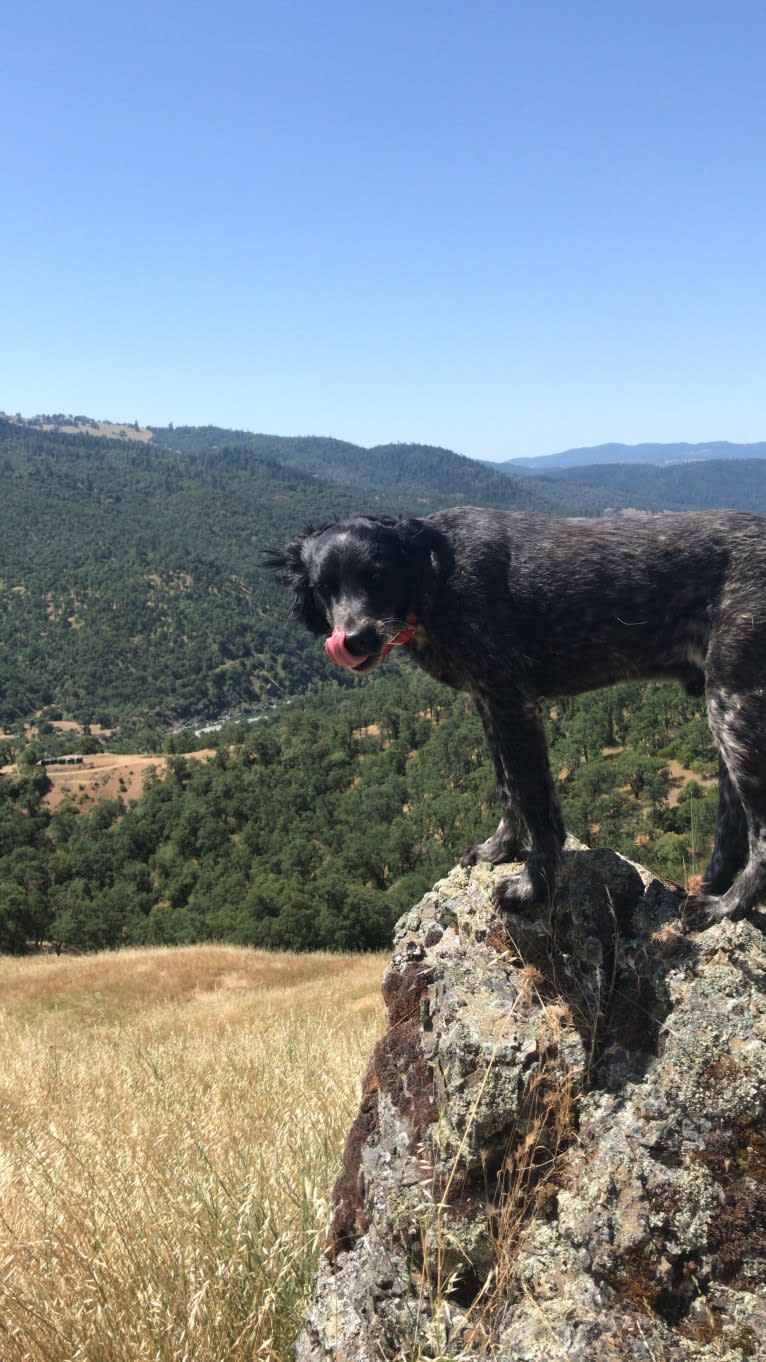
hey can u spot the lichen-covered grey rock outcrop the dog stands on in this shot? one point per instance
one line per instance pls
(561, 1150)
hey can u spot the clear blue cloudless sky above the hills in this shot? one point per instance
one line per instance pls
(506, 228)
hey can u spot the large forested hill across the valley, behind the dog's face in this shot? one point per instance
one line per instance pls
(132, 582)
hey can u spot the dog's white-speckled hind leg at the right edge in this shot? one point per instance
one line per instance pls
(738, 720)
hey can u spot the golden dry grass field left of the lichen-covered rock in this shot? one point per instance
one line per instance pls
(171, 1123)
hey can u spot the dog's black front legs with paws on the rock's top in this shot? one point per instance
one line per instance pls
(528, 796)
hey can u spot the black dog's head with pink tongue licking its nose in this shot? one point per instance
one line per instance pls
(361, 582)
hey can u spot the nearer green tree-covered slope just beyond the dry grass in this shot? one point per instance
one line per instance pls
(321, 825)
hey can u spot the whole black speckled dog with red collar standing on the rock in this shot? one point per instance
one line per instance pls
(516, 608)
